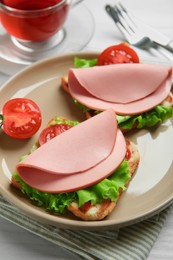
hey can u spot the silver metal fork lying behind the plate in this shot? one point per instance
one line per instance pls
(130, 27)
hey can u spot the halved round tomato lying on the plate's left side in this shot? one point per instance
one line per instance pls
(21, 118)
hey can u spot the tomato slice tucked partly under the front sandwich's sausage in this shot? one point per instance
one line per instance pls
(51, 131)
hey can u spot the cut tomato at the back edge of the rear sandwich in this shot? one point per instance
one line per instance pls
(121, 53)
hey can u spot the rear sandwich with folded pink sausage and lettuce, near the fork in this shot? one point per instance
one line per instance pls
(140, 94)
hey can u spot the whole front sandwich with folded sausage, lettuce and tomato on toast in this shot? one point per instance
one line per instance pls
(83, 170)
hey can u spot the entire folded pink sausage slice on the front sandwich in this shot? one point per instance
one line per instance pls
(70, 160)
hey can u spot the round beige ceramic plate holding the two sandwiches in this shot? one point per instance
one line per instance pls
(150, 190)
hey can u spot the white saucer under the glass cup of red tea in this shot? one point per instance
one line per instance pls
(77, 32)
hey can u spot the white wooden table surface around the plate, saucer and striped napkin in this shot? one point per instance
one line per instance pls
(16, 243)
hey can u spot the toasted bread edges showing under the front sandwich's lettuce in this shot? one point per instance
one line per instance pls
(101, 210)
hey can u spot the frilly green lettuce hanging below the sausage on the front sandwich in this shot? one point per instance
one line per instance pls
(108, 188)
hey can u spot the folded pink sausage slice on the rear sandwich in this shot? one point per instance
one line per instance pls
(126, 88)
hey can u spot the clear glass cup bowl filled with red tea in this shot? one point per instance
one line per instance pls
(33, 20)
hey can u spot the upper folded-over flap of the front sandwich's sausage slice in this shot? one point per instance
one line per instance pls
(76, 150)
